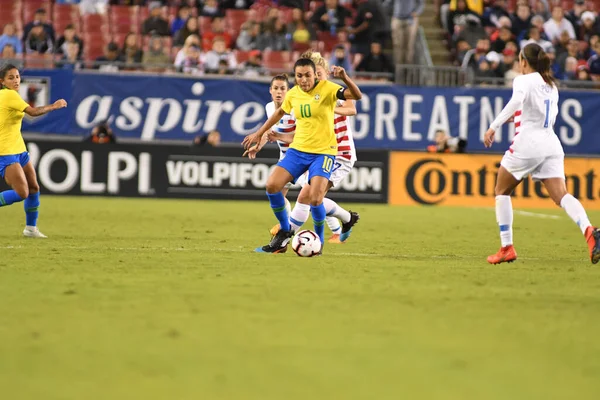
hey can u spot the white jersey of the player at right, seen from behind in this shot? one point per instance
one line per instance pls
(534, 105)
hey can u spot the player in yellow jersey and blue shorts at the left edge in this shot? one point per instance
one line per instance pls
(15, 166)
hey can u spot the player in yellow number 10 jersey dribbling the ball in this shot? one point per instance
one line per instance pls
(314, 147)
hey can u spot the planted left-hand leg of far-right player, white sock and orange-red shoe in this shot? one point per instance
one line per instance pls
(505, 185)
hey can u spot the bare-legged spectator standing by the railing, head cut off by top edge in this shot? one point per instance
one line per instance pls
(405, 25)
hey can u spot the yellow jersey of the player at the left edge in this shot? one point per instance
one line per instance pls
(12, 108)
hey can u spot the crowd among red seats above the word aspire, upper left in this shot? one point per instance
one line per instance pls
(248, 37)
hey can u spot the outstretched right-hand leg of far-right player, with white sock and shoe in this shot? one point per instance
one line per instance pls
(558, 193)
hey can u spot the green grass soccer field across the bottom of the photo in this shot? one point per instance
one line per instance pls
(164, 299)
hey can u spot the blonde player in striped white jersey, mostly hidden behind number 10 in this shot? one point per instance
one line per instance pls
(344, 161)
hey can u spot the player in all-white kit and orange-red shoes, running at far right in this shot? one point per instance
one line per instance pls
(536, 150)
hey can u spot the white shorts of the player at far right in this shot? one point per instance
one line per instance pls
(540, 168)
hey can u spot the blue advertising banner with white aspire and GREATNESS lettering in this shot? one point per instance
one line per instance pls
(389, 116)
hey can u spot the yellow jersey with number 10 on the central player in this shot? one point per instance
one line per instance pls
(314, 117)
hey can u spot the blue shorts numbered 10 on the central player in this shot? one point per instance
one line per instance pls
(297, 163)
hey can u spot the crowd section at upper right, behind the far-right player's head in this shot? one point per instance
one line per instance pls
(487, 35)
